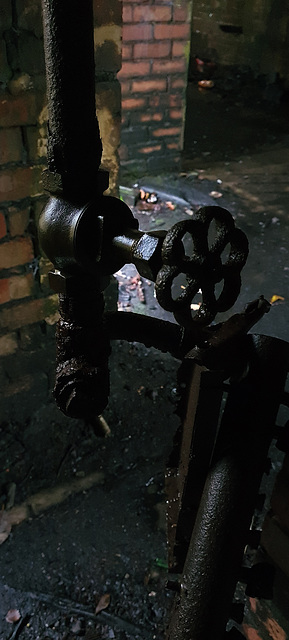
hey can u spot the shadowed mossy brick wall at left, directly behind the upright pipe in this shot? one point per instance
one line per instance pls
(28, 308)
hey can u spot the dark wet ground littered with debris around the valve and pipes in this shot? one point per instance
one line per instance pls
(102, 544)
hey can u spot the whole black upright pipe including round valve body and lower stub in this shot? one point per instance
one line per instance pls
(74, 155)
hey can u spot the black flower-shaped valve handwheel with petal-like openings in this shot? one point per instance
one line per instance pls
(205, 268)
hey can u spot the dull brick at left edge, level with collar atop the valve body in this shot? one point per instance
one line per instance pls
(20, 182)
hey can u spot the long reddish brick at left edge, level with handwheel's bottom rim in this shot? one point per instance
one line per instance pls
(30, 312)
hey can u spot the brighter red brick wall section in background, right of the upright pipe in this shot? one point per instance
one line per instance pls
(155, 49)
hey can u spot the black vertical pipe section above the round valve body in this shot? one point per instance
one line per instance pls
(74, 145)
